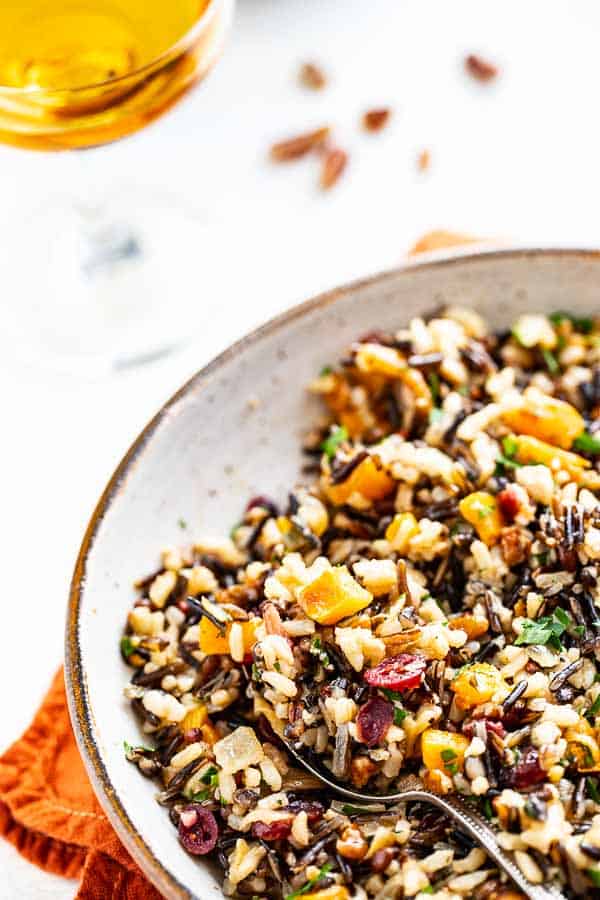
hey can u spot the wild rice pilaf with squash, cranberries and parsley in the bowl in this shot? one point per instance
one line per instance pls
(430, 604)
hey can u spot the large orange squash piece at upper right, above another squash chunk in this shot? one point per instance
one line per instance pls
(545, 418)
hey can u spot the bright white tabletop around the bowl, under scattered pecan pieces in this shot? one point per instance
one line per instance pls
(518, 159)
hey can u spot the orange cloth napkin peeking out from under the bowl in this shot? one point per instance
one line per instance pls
(48, 809)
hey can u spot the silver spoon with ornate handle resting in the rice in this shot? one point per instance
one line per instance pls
(411, 788)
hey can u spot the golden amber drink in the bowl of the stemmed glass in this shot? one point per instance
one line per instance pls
(76, 73)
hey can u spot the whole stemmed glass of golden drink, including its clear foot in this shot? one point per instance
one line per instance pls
(107, 283)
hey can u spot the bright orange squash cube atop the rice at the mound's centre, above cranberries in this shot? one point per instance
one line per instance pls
(332, 596)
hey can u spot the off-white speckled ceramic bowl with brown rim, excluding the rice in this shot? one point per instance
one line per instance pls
(233, 431)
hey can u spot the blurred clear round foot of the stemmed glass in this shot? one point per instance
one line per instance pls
(100, 288)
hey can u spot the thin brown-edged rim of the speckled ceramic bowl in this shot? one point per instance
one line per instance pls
(77, 691)
